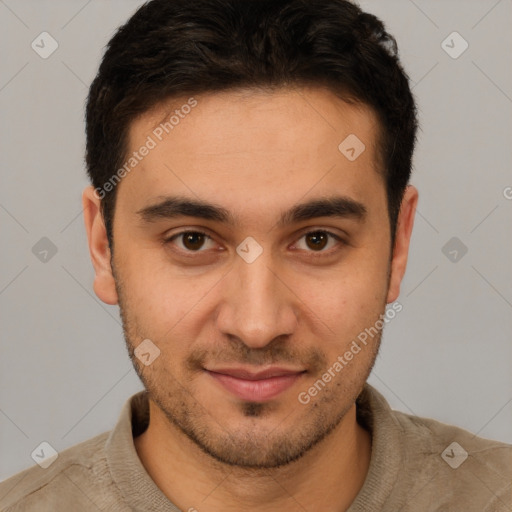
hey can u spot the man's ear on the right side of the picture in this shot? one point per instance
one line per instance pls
(405, 223)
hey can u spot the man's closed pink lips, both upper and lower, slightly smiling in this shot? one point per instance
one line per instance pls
(255, 386)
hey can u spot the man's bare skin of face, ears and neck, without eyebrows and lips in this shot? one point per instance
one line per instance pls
(255, 154)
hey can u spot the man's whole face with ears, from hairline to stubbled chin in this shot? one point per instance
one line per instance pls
(252, 253)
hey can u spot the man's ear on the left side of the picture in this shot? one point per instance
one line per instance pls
(99, 249)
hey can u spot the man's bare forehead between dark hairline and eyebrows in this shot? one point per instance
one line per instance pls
(255, 144)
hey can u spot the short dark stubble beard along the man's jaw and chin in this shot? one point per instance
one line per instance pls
(253, 445)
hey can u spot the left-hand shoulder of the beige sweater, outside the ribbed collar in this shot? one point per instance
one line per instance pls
(74, 481)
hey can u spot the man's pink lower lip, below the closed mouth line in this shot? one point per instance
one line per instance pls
(256, 390)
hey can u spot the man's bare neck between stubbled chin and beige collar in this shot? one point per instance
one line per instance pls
(331, 473)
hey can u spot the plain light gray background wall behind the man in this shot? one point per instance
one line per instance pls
(64, 371)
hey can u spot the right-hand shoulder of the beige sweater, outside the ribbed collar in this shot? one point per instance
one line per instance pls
(454, 462)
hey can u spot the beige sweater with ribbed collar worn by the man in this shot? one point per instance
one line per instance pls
(414, 467)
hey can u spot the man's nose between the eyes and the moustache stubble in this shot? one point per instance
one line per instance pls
(257, 306)
